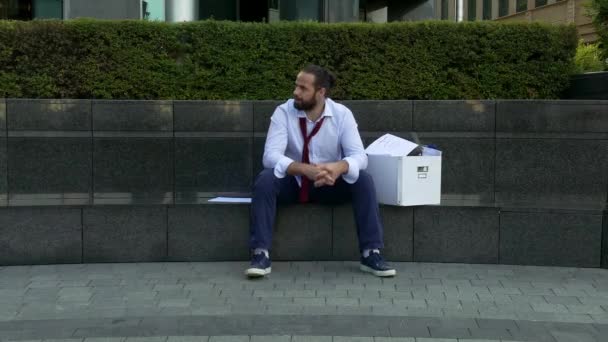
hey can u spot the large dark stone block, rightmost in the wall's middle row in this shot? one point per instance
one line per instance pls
(552, 172)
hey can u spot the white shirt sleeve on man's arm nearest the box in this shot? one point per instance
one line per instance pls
(352, 147)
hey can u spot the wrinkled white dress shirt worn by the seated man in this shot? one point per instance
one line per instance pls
(338, 139)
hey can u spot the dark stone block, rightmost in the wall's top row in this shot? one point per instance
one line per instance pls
(552, 116)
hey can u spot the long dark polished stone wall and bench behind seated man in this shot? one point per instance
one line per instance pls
(524, 182)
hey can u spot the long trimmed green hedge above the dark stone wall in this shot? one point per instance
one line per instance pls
(231, 60)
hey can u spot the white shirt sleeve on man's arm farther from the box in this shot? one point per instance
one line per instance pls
(276, 143)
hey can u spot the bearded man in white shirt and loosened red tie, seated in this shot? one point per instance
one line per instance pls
(314, 153)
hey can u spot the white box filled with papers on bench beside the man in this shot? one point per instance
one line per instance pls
(402, 180)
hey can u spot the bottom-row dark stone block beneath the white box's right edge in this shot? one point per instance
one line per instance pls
(456, 234)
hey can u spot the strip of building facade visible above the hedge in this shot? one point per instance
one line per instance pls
(553, 11)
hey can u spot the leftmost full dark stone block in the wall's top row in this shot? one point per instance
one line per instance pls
(63, 115)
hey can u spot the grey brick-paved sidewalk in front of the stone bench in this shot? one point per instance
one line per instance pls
(302, 301)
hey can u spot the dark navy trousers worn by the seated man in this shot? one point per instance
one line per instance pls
(269, 190)
